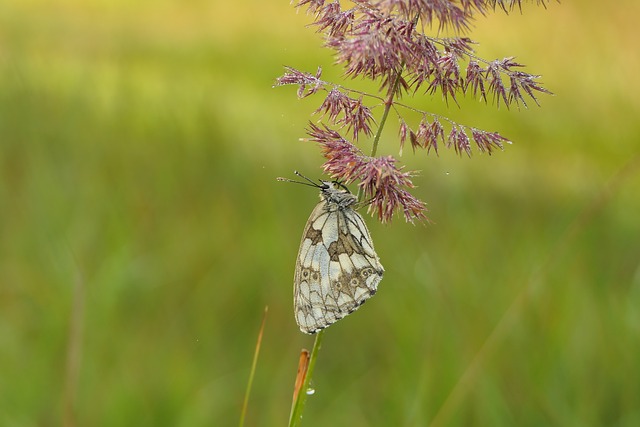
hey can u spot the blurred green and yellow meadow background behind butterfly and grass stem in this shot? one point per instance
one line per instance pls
(142, 231)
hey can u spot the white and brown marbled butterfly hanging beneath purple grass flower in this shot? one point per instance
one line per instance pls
(337, 268)
